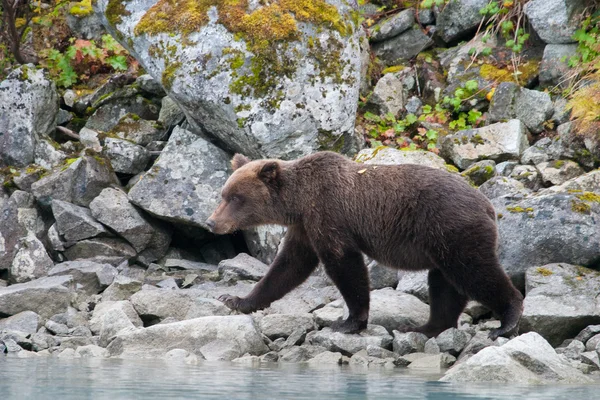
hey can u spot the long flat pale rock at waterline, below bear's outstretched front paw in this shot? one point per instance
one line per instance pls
(205, 336)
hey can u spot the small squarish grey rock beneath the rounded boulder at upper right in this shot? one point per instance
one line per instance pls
(554, 69)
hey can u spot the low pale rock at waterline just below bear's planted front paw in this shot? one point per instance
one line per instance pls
(349, 344)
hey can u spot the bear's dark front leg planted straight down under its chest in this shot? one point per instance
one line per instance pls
(350, 275)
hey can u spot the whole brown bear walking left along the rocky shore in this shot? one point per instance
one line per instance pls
(408, 217)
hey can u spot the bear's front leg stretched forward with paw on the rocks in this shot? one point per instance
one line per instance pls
(294, 263)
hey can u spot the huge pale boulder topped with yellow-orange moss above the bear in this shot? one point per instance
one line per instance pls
(284, 90)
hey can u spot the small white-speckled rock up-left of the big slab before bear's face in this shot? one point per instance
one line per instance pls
(126, 157)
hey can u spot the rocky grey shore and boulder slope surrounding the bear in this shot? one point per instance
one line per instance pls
(103, 247)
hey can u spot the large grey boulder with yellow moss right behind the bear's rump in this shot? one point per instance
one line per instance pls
(548, 228)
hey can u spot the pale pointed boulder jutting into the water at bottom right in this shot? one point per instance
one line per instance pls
(527, 359)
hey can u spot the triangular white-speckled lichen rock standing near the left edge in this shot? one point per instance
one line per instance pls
(31, 260)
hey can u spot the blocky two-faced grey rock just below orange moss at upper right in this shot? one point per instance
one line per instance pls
(531, 107)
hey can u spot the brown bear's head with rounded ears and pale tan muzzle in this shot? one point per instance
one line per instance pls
(247, 199)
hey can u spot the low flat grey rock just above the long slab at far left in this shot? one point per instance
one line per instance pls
(89, 276)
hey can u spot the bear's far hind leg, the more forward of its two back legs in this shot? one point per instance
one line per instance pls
(446, 304)
